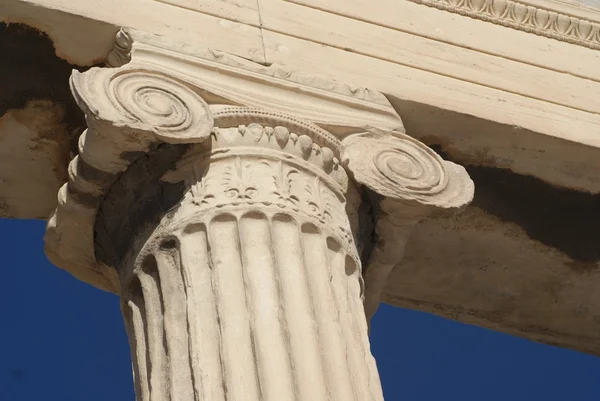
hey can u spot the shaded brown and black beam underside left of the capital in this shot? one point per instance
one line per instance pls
(38, 121)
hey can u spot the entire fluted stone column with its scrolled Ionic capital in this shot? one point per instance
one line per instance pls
(232, 207)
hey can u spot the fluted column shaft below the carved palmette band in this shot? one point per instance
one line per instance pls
(255, 307)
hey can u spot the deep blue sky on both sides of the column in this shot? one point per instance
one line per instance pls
(62, 340)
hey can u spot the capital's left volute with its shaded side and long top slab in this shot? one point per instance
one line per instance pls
(160, 97)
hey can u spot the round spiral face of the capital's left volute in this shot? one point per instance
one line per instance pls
(144, 100)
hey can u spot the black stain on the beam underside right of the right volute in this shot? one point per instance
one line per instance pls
(561, 218)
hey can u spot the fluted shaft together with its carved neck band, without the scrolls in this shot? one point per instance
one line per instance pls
(251, 289)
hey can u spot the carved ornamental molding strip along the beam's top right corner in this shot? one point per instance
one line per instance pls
(525, 17)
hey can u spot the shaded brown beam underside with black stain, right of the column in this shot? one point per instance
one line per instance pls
(527, 264)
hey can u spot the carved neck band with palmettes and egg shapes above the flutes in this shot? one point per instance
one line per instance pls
(252, 166)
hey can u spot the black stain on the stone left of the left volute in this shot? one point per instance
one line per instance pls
(30, 70)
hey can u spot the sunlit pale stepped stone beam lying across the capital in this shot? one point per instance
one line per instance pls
(430, 56)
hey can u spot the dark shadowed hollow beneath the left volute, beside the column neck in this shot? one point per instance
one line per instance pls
(135, 204)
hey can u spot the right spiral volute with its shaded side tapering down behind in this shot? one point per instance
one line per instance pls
(408, 181)
